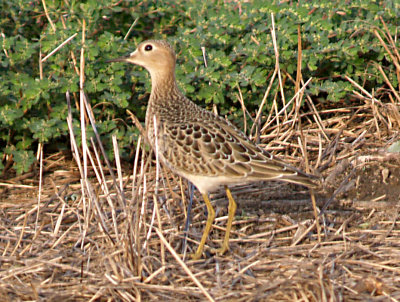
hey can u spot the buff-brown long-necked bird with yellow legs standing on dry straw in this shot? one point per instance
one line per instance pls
(199, 145)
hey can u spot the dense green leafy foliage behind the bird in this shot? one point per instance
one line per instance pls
(337, 40)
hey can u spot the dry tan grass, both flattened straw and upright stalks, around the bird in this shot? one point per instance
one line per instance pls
(76, 232)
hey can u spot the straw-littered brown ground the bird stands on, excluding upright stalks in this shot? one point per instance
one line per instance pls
(274, 252)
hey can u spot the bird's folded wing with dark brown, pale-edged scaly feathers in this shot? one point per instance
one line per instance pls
(217, 148)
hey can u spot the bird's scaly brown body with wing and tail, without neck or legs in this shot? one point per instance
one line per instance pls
(210, 151)
